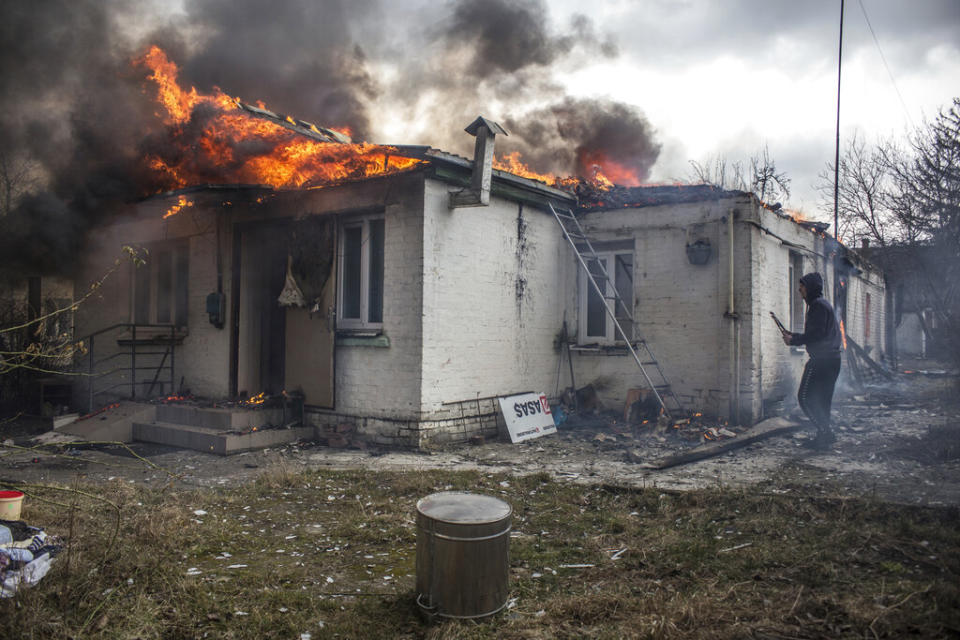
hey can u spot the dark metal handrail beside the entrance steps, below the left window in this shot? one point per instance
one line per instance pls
(132, 353)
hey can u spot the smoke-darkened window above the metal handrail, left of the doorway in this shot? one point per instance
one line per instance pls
(161, 286)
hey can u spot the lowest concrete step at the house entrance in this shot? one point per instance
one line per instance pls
(212, 440)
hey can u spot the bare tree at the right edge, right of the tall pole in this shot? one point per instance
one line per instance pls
(907, 199)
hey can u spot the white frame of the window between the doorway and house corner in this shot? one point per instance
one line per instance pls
(363, 322)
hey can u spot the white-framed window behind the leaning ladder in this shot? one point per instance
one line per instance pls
(595, 323)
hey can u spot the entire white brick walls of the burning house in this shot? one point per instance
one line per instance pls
(475, 299)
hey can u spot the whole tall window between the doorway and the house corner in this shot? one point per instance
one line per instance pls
(361, 274)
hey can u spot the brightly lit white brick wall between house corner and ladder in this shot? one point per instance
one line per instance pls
(493, 303)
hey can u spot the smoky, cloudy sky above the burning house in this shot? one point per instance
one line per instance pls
(656, 83)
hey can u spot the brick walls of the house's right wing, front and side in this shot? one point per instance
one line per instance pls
(680, 308)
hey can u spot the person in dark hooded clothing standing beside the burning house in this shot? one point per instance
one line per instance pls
(821, 335)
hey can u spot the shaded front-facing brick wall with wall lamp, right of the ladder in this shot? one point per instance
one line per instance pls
(679, 307)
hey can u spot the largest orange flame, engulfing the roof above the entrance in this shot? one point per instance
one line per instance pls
(236, 146)
